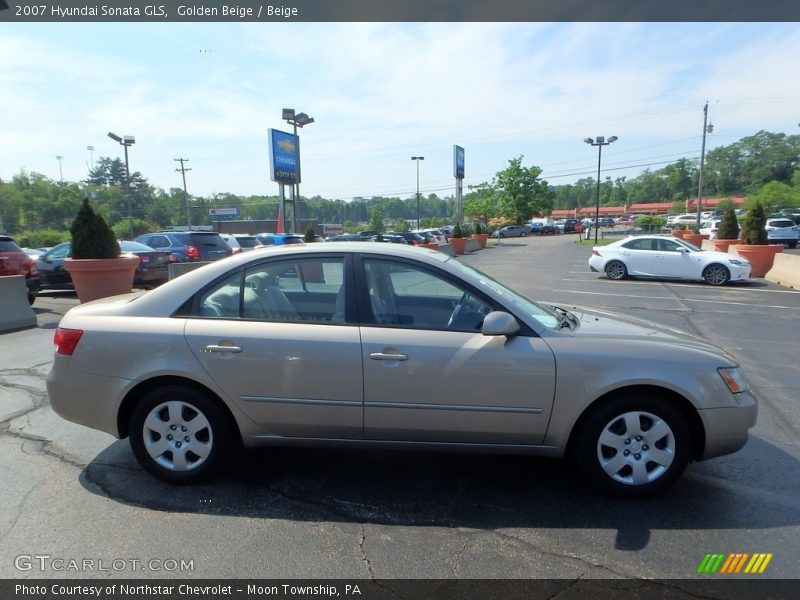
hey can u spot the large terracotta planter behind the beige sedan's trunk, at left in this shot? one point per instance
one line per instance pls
(98, 278)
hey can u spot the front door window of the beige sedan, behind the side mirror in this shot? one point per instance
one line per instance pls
(403, 295)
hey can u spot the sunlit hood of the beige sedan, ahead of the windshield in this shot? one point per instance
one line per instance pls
(599, 325)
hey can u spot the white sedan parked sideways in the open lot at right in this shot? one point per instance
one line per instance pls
(666, 257)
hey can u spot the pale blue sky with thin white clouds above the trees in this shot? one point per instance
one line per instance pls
(383, 92)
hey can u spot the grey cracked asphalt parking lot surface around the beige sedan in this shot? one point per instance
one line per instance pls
(74, 493)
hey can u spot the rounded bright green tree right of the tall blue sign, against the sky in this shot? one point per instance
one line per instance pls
(521, 191)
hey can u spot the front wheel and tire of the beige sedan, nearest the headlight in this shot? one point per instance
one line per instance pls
(634, 445)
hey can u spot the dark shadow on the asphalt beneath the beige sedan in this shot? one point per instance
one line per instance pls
(461, 490)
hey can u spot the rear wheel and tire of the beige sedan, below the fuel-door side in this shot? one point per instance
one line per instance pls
(206, 430)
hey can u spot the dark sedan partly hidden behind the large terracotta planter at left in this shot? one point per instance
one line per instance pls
(151, 271)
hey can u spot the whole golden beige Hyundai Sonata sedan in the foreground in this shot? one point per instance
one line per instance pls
(341, 344)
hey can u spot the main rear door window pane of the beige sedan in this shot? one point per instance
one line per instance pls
(308, 290)
